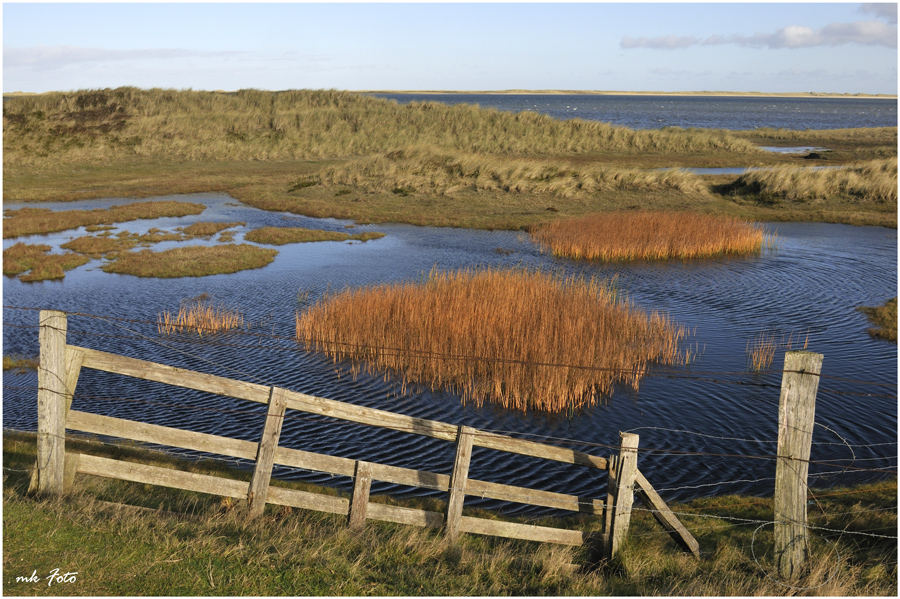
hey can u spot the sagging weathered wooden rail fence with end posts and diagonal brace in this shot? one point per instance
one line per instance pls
(61, 364)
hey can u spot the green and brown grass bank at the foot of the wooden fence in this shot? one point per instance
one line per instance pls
(193, 544)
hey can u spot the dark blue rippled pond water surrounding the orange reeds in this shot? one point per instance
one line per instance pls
(812, 283)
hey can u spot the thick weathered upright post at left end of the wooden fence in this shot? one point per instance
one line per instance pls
(51, 441)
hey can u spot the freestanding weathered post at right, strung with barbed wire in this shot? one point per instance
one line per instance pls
(796, 415)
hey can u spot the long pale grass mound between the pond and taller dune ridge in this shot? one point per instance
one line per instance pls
(434, 170)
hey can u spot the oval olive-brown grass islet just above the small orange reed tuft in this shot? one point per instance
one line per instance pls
(191, 261)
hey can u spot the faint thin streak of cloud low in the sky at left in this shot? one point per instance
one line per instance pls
(55, 57)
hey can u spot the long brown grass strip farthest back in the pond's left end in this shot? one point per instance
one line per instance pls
(37, 221)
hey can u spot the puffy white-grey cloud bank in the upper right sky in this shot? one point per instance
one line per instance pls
(865, 33)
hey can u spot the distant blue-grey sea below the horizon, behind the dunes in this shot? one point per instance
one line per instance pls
(654, 112)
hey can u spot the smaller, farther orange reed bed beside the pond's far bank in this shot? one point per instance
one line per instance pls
(649, 236)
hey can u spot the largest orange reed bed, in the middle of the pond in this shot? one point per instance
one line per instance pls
(524, 340)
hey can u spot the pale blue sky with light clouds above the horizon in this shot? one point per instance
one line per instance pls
(768, 47)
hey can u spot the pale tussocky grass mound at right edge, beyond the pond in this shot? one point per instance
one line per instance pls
(872, 182)
